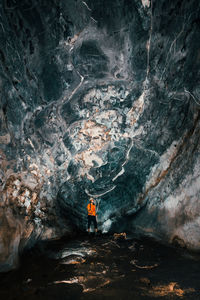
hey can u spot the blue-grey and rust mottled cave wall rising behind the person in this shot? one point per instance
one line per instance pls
(99, 98)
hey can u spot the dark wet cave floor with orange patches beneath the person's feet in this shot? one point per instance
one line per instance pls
(103, 267)
